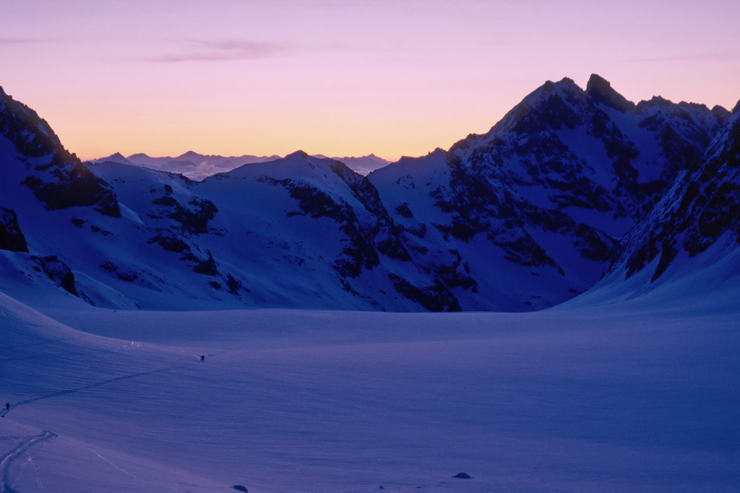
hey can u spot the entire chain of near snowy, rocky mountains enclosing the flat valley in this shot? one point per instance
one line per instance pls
(568, 184)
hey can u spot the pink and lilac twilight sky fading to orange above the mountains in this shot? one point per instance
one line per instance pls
(352, 77)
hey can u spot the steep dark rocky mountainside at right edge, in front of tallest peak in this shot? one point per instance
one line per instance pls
(689, 241)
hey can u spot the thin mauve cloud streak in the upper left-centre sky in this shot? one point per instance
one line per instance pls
(221, 51)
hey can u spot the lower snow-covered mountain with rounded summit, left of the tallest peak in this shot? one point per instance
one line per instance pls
(297, 231)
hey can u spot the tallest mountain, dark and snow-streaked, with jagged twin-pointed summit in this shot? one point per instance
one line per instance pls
(532, 211)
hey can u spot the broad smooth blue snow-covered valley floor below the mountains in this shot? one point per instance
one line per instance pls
(612, 398)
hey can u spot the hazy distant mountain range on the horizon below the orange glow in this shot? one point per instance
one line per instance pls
(199, 166)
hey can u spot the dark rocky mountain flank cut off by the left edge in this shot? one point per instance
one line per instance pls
(41, 181)
